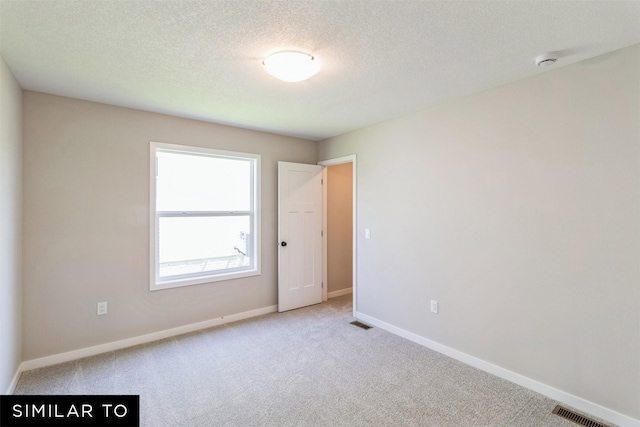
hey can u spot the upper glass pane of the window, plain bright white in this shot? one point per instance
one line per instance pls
(188, 182)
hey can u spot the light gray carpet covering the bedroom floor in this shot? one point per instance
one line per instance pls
(307, 367)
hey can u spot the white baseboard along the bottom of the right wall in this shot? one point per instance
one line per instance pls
(544, 389)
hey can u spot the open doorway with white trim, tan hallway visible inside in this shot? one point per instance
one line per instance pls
(339, 273)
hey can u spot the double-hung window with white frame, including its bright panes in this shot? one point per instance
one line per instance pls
(204, 215)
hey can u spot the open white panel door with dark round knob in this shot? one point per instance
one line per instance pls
(299, 235)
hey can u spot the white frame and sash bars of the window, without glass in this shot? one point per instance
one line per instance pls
(155, 283)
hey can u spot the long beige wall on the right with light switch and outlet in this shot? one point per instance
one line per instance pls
(518, 209)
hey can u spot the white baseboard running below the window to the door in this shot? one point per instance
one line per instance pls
(129, 342)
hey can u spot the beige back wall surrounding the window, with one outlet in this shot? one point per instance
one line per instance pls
(86, 223)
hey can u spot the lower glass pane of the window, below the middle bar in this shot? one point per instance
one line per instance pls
(192, 245)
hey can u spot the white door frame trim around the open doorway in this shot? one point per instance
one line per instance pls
(332, 162)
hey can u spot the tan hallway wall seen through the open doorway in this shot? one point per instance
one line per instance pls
(340, 227)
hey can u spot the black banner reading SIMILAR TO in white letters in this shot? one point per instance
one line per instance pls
(70, 411)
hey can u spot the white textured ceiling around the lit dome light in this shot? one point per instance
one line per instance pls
(380, 59)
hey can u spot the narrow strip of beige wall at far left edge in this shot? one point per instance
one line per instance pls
(10, 227)
